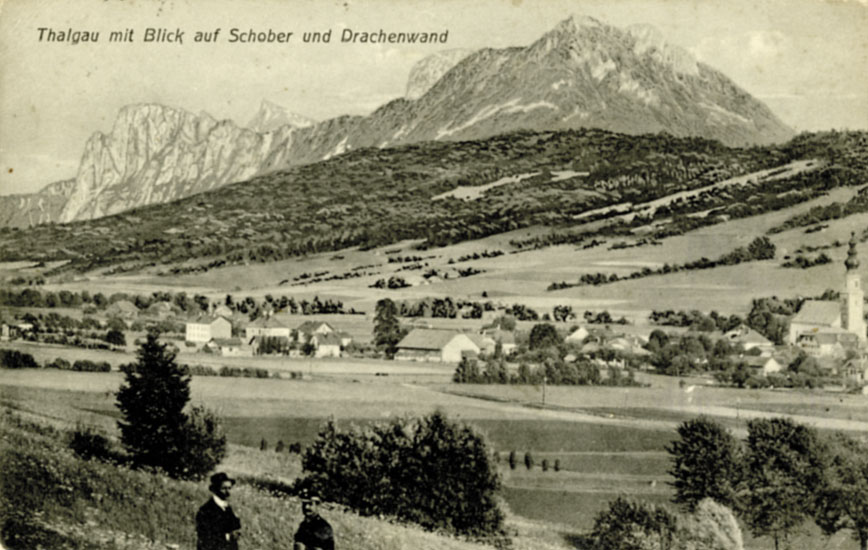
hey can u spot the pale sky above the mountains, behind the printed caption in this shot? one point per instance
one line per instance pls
(806, 59)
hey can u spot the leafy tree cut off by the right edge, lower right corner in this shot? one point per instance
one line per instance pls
(843, 499)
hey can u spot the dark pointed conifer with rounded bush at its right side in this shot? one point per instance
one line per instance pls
(155, 430)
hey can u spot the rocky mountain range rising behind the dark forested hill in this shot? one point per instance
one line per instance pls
(583, 73)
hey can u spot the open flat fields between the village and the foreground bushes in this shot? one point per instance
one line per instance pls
(607, 444)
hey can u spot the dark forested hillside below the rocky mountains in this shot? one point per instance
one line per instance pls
(374, 197)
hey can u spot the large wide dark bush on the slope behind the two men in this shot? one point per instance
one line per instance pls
(428, 471)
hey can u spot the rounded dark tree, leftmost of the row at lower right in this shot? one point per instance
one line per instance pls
(706, 463)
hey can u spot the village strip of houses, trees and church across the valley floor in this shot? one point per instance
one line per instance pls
(824, 344)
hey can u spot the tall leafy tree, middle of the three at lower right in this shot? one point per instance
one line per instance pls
(785, 464)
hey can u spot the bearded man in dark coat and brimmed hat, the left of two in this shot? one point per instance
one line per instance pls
(217, 526)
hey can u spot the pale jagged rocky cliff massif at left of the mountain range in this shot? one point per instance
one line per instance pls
(158, 154)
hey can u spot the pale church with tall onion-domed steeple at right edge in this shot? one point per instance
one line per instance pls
(827, 325)
